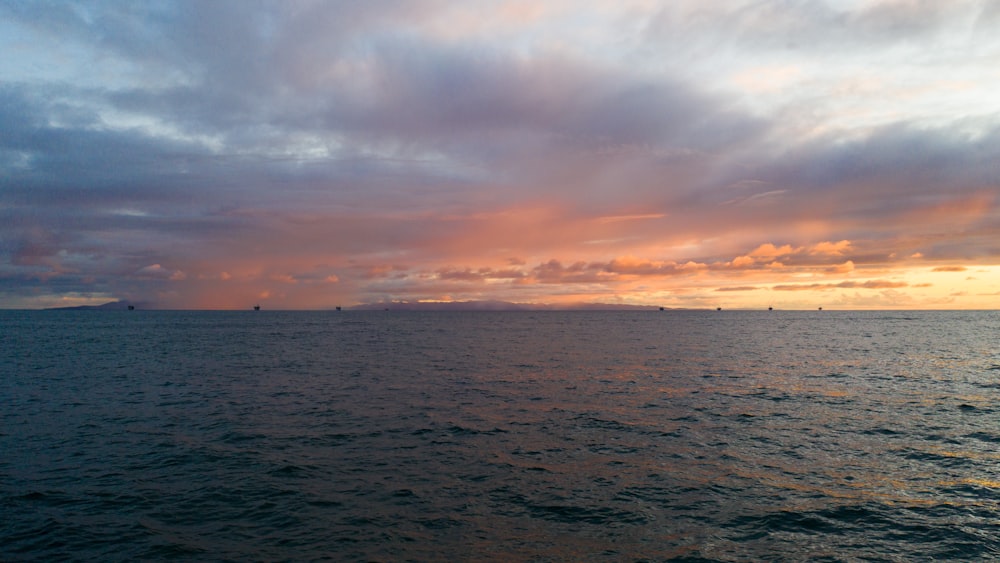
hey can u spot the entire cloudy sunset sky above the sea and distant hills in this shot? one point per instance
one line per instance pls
(686, 153)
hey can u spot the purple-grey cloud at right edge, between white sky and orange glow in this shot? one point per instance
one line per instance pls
(876, 182)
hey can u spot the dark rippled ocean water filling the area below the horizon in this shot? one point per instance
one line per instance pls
(499, 436)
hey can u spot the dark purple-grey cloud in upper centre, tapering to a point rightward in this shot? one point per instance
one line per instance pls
(451, 97)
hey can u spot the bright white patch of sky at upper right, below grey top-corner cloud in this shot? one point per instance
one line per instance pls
(844, 85)
